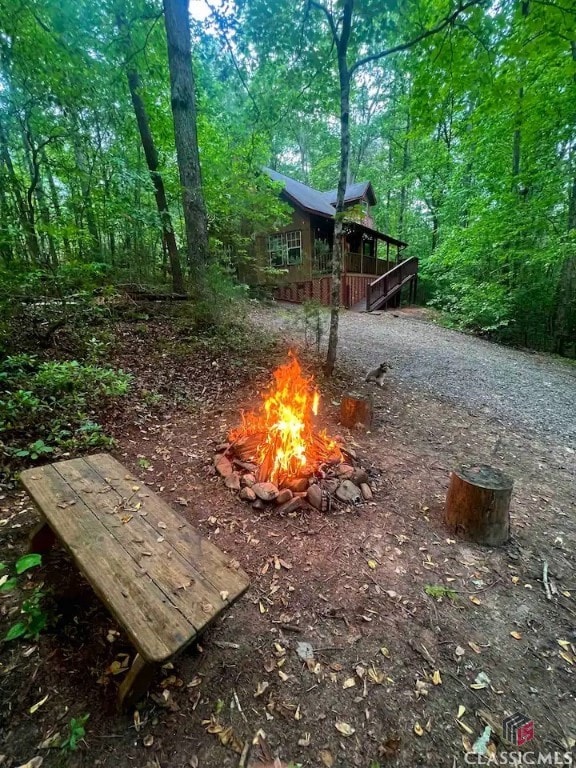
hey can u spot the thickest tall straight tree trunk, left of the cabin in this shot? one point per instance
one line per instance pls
(183, 100)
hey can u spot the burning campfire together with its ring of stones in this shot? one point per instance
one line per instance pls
(279, 455)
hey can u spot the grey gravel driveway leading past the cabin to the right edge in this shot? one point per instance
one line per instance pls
(520, 389)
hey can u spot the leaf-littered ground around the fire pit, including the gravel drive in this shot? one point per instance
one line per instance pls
(397, 669)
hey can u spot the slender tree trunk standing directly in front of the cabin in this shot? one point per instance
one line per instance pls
(338, 247)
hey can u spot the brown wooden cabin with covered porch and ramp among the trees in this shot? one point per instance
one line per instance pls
(374, 269)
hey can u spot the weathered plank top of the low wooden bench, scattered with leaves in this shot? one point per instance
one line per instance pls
(159, 578)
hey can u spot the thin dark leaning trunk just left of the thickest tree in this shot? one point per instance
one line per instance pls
(159, 192)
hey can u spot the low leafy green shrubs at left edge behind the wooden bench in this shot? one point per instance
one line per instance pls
(45, 407)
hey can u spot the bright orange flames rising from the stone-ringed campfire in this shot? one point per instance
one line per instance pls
(285, 443)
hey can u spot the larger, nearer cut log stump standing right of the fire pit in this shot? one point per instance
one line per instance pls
(478, 504)
